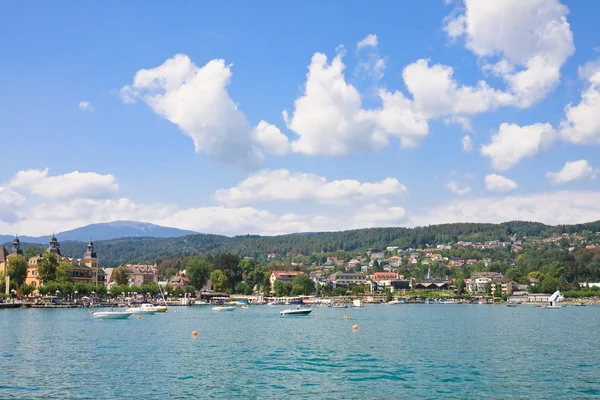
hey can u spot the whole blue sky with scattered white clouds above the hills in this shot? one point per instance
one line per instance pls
(272, 117)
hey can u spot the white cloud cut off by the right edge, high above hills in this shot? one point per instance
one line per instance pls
(582, 125)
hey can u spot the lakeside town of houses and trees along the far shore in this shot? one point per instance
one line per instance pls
(510, 271)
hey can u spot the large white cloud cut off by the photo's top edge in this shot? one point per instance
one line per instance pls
(524, 42)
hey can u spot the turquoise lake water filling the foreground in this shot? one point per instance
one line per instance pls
(402, 351)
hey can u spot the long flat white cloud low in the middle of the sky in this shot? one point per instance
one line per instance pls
(284, 185)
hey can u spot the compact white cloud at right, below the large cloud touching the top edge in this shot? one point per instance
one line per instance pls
(513, 142)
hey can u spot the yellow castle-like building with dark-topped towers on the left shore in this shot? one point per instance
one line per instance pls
(84, 269)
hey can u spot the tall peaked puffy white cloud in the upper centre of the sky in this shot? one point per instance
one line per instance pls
(329, 119)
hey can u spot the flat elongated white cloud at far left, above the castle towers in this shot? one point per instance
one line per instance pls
(73, 184)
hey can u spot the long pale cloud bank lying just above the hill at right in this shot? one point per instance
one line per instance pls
(568, 207)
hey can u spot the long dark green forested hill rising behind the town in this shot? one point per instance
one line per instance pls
(145, 249)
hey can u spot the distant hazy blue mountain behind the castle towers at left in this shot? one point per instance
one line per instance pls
(106, 231)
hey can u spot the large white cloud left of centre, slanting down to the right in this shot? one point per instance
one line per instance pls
(196, 100)
